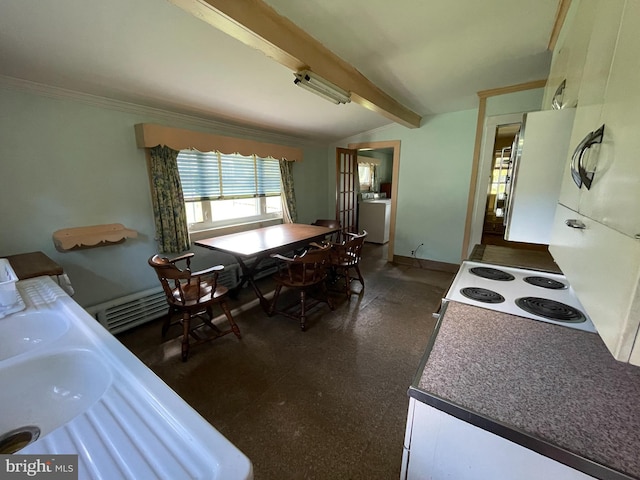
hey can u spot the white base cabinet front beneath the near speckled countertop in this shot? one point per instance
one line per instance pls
(444, 447)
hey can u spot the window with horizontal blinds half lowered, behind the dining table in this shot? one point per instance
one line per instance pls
(222, 190)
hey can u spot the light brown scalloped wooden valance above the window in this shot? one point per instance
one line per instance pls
(150, 135)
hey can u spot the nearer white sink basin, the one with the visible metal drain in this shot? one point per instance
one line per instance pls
(48, 391)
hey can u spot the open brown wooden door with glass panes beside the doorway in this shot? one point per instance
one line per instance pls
(347, 188)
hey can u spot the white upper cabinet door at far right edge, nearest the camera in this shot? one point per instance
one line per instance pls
(614, 198)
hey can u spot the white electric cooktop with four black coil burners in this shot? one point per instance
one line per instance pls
(506, 295)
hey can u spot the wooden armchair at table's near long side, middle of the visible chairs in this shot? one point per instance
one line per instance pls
(305, 273)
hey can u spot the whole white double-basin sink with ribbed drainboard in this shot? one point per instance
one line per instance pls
(68, 385)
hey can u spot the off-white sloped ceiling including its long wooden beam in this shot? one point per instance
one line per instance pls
(233, 60)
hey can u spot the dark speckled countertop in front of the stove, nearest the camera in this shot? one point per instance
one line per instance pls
(550, 388)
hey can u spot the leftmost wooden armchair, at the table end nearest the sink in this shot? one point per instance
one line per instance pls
(192, 295)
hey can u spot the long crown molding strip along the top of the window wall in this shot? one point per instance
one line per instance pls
(221, 126)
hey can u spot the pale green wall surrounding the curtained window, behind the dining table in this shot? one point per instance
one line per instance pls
(68, 163)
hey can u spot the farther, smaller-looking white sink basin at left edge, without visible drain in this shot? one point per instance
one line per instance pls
(22, 332)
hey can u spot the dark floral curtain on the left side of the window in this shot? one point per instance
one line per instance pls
(172, 232)
